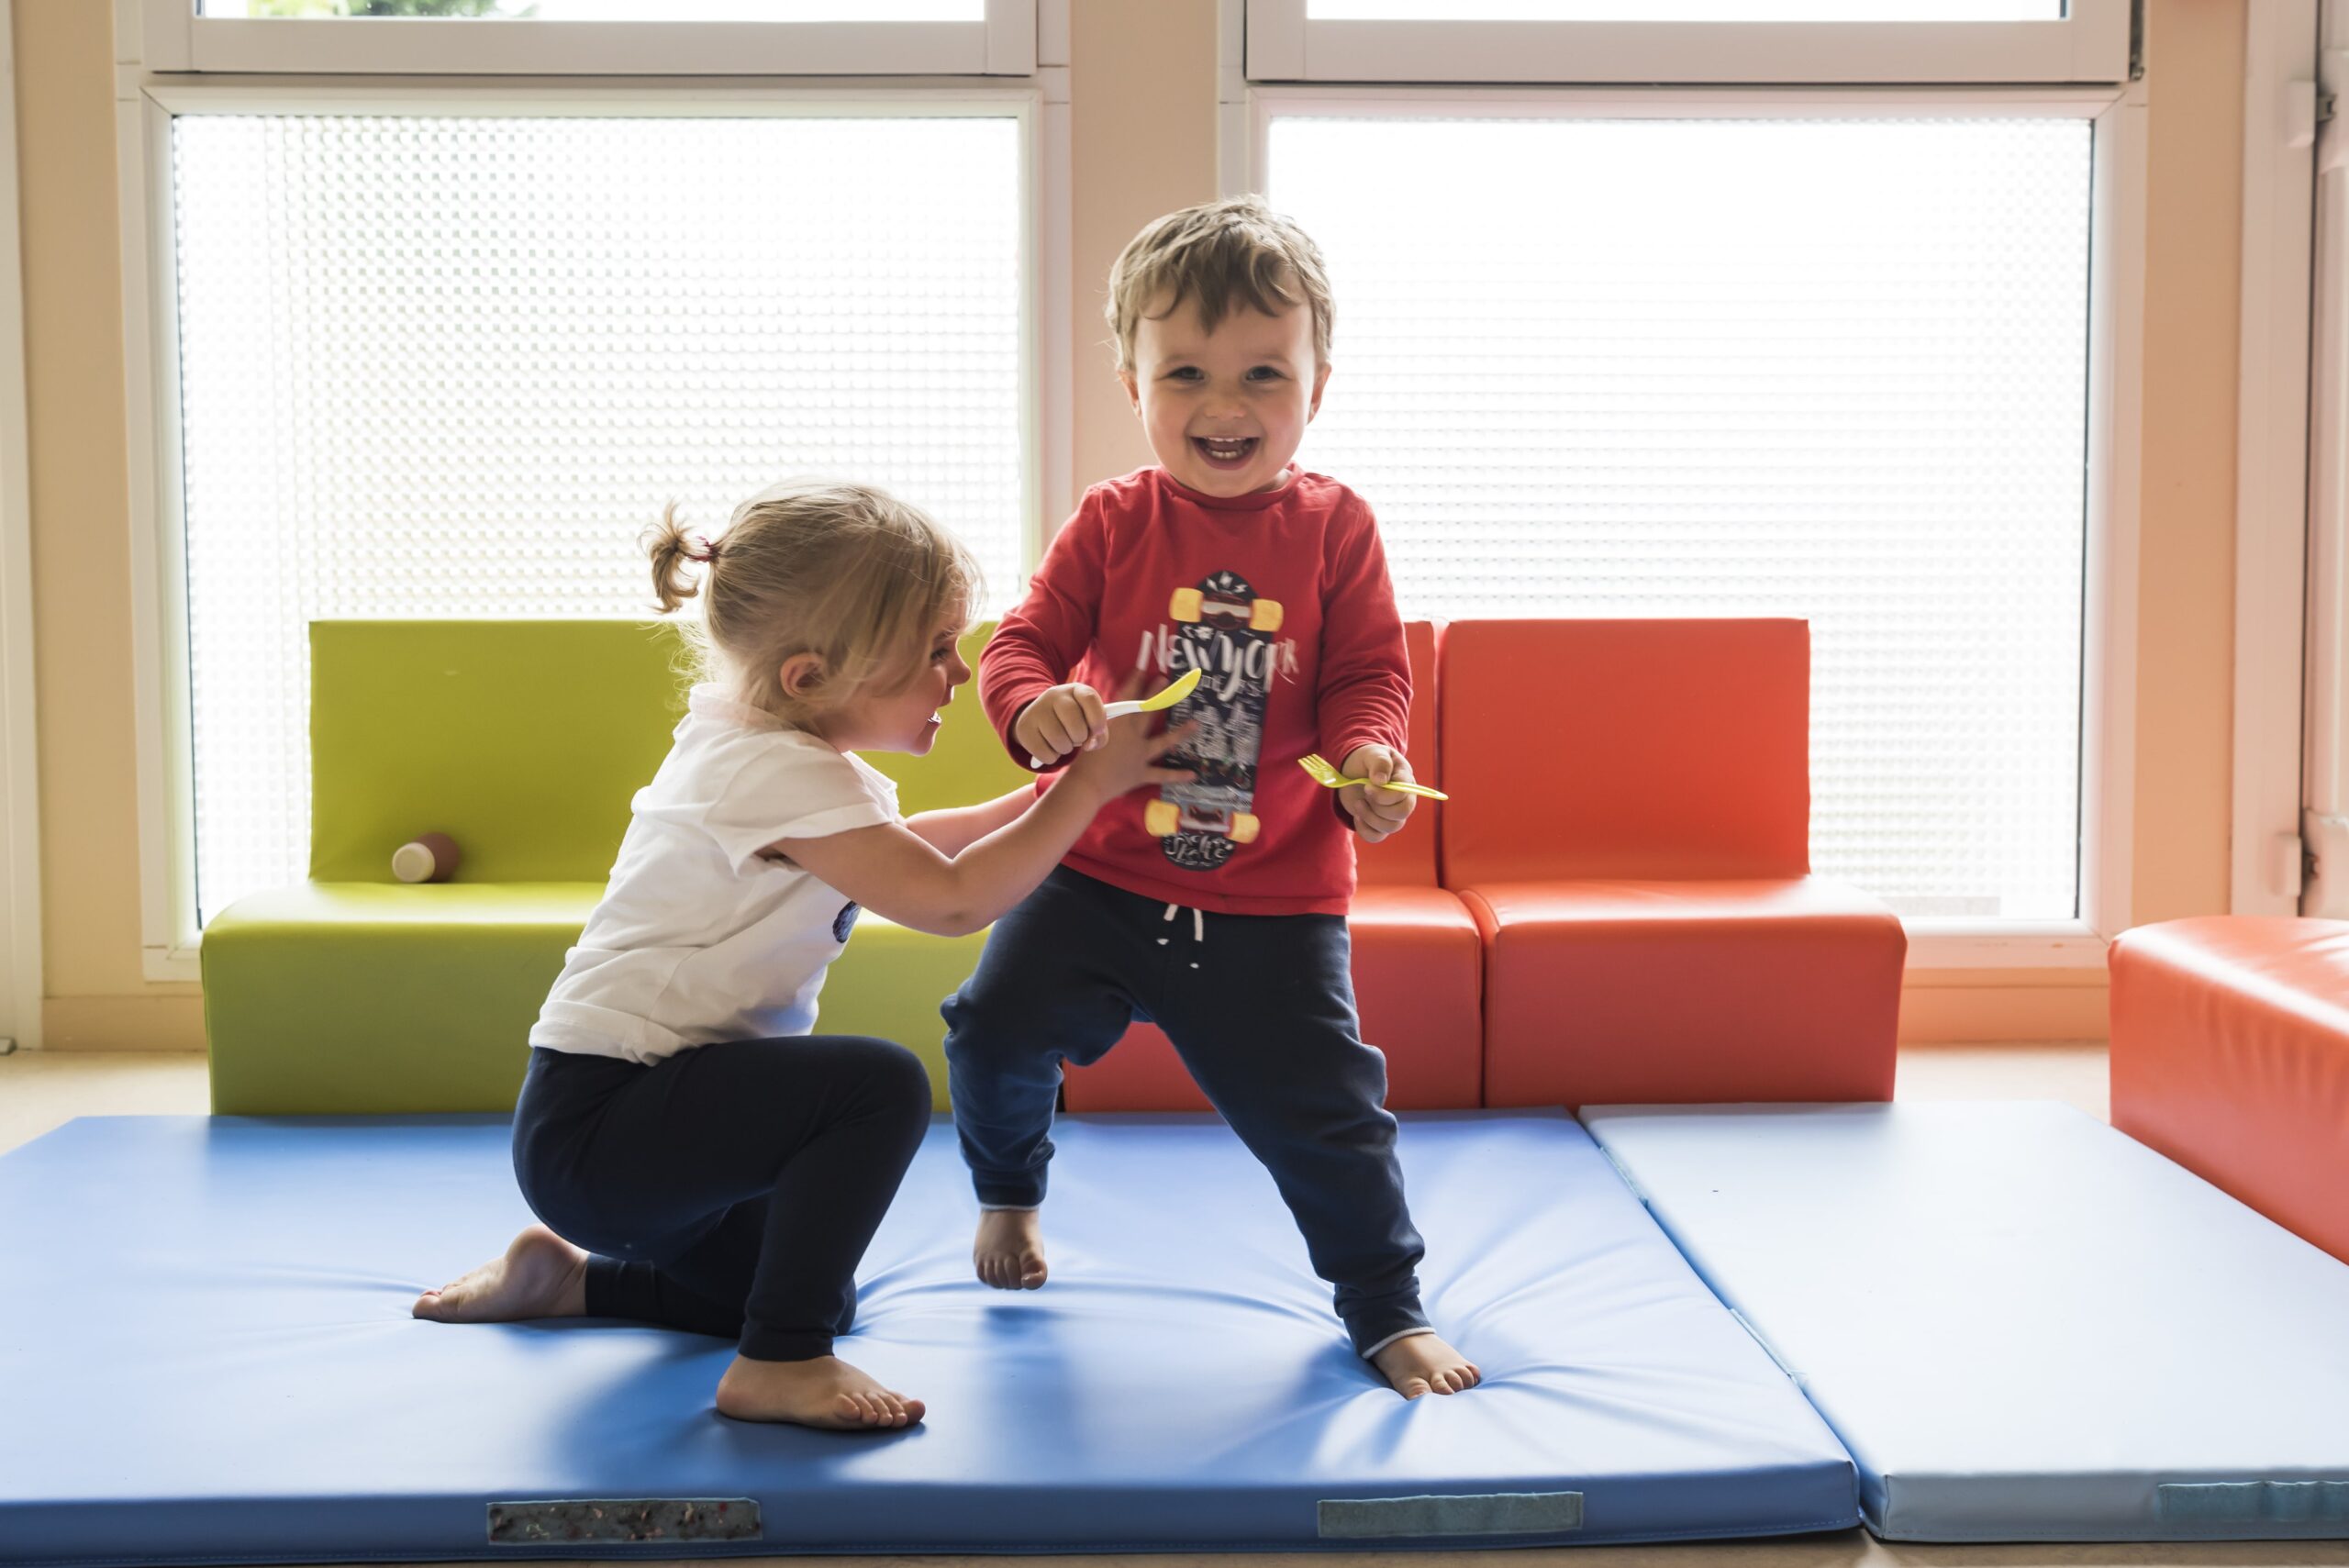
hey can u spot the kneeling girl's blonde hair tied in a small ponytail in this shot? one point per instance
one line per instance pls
(842, 572)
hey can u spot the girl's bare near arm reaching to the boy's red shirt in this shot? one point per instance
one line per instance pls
(903, 879)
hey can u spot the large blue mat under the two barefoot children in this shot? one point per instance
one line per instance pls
(208, 1356)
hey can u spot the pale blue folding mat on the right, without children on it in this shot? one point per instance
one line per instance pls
(2019, 1320)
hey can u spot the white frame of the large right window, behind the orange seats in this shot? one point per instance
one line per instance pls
(2115, 356)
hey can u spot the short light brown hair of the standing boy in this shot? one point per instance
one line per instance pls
(1223, 255)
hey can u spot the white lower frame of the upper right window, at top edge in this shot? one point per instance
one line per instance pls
(2092, 43)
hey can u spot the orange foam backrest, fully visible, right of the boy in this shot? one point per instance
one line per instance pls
(1624, 750)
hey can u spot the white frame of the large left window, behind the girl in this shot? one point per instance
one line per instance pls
(147, 109)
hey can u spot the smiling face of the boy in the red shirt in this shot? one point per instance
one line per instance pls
(1225, 410)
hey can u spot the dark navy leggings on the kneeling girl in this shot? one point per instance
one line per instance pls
(729, 1189)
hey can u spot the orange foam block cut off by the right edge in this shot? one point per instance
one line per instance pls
(2230, 1055)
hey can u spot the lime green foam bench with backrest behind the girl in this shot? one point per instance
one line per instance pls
(525, 743)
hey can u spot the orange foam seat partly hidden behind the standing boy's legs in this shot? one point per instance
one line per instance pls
(1415, 978)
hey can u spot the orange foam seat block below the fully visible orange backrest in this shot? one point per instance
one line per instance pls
(1657, 992)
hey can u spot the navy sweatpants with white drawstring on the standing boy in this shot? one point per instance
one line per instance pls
(1263, 1013)
